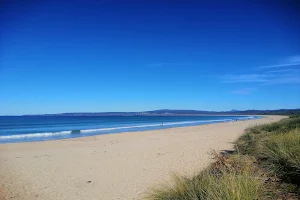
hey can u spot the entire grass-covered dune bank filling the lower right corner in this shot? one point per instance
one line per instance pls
(264, 165)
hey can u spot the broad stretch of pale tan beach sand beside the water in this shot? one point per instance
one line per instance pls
(116, 166)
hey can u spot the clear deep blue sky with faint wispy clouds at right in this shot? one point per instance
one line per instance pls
(93, 56)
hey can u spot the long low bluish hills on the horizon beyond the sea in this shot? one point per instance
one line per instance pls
(166, 112)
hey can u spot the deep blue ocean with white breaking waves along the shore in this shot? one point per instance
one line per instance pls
(40, 128)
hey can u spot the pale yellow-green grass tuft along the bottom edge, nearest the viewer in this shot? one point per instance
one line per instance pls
(229, 185)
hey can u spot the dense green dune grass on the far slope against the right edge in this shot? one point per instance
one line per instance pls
(276, 146)
